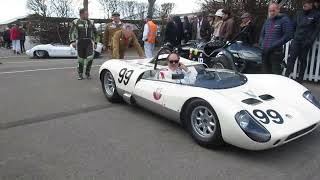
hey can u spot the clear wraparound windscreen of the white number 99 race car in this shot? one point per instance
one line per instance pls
(213, 78)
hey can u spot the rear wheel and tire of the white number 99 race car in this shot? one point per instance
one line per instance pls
(109, 87)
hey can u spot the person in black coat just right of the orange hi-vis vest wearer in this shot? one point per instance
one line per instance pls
(171, 32)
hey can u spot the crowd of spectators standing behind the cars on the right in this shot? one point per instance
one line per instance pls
(277, 30)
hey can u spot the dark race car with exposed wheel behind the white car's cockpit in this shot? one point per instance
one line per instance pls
(234, 55)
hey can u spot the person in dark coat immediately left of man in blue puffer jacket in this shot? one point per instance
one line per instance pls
(247, 28)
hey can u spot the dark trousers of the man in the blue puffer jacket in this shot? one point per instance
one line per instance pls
(271, 62)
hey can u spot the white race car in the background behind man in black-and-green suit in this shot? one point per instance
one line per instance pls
(49, 50)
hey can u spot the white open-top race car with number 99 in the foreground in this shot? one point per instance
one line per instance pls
(254, 112)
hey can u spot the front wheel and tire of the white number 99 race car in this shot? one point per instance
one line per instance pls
(202, 124)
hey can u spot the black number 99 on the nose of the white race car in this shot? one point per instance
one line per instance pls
(265, 117)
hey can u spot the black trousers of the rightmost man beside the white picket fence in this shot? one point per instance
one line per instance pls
(297, 50)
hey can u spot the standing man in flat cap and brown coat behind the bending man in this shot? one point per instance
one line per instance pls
(111, 29)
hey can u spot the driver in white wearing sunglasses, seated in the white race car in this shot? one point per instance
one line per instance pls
(174, 67)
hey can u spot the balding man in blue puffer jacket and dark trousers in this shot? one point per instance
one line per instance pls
(276, 31)
